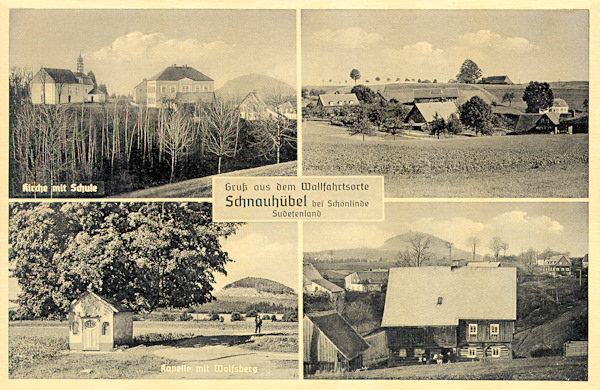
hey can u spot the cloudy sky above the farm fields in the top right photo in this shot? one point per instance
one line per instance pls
(525, 45)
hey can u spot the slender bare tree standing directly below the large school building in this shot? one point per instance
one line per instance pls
(177, 137)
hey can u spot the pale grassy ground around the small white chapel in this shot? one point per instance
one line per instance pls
(39, 349)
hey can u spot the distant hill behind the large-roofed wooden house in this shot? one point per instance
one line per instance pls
(389, 250)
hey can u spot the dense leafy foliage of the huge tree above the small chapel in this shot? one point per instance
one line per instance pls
(145, 255)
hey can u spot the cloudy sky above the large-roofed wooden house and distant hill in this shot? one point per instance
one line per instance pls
(561, 226)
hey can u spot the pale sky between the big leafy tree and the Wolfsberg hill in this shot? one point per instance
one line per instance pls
(263, 250)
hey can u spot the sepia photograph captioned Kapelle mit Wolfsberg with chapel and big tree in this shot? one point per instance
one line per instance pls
(149, 291)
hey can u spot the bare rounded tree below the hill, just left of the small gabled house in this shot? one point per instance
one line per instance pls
(221, 125)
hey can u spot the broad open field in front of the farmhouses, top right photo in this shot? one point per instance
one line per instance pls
(501, 166)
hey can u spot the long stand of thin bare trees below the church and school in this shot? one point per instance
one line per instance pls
(131, 147)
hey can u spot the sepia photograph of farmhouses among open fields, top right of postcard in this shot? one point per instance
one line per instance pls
(449, 103)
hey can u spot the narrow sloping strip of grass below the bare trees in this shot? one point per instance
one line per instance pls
(202, 187)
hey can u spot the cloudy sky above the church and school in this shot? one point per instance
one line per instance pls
(122, 47)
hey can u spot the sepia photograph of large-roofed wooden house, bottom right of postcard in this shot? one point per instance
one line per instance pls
(452, 291)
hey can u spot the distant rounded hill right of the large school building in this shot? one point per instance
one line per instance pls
(241, 86)
